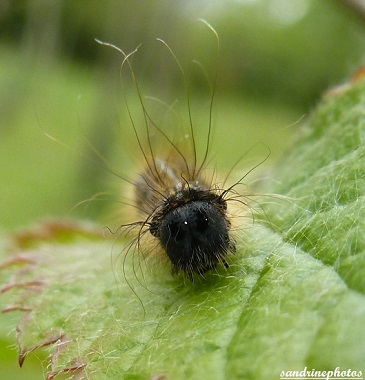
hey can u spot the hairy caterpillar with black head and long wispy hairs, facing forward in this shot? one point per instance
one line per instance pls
(183, 208)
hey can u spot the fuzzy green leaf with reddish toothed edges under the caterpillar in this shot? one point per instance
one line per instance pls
(292, 298)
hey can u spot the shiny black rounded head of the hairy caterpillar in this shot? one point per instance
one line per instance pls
(193, 229)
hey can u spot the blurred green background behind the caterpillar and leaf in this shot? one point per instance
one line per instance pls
(276, 59)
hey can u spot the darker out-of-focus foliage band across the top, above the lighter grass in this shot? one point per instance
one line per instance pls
(279, 49)
